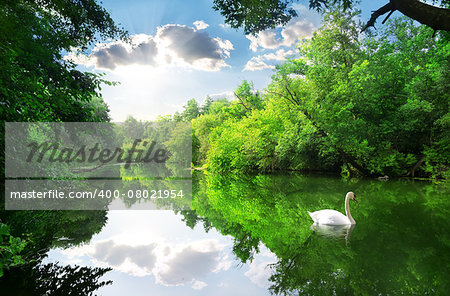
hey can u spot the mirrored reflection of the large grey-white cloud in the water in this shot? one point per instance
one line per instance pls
(172, 265)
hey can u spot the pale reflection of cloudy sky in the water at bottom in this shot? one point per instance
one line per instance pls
(155, 252)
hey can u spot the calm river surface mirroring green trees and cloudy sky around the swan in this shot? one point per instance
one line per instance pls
(252, 235)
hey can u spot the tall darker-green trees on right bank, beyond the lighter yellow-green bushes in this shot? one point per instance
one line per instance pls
(381, 102)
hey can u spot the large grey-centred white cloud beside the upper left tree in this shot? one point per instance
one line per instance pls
(172, 45)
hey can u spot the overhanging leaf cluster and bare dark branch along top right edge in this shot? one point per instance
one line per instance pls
(258, 15)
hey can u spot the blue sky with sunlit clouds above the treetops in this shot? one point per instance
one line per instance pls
(181, 49)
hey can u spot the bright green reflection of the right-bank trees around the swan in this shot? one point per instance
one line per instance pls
(400, 245)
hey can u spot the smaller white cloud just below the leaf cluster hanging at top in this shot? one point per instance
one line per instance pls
(298, 28)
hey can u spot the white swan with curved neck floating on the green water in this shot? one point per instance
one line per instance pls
(332, 217)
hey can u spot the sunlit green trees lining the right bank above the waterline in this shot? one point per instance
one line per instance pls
(362, 105)
